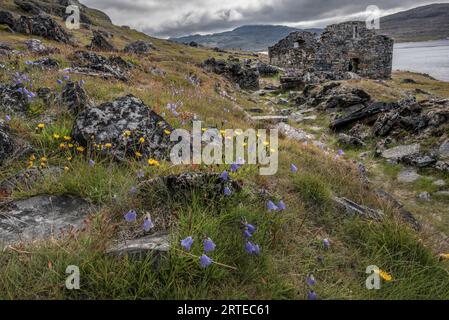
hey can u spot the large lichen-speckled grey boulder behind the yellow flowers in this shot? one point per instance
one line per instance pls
(122, 123)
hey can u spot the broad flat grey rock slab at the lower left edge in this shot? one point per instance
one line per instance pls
(41, 217)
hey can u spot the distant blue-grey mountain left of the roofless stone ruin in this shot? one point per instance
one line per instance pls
(250, 38)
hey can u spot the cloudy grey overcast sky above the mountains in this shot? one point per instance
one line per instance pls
(172, 18)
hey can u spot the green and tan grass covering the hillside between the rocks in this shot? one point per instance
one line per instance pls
(291, 241)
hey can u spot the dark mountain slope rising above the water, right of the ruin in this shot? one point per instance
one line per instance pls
(424, 23)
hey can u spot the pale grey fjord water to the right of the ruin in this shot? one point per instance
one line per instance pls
(431, 57)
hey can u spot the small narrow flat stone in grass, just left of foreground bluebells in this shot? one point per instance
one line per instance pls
(153, 243)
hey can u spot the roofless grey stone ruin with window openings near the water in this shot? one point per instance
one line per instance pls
(341, 51)
